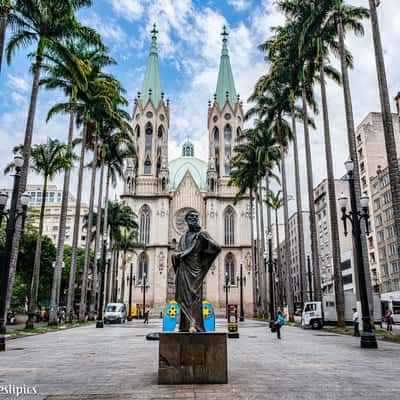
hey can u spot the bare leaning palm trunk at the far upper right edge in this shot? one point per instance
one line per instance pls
(390, 143)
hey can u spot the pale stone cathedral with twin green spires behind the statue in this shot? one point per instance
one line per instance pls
(161, 191)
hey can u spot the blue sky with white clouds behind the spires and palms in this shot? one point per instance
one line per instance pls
(189, 44)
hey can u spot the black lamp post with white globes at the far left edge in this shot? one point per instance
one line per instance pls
(5, 261)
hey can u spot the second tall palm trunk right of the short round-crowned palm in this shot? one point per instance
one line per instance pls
(72, 272)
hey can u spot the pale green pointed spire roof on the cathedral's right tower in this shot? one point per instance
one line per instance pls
(225, 77)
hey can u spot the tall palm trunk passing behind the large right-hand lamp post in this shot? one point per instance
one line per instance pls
(351, 137)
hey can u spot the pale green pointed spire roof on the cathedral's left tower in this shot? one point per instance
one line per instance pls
(152, 79)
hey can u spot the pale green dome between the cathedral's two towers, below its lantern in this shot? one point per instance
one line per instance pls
(179, 167)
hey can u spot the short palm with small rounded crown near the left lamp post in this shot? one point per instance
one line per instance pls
(48, 160)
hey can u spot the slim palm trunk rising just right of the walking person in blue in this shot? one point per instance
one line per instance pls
(289, 292)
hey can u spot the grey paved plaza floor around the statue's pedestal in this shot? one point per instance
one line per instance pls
(118, 363)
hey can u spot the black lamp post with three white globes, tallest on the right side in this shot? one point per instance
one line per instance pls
(368, 339)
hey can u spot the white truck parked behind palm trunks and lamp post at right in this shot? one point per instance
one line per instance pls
(316, 314)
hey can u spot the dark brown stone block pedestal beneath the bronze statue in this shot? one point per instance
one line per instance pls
(190, 358)
